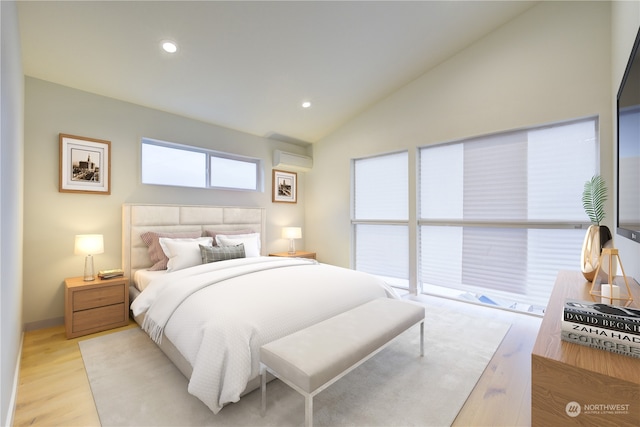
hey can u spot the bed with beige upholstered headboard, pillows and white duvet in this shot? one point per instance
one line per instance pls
(211, 318)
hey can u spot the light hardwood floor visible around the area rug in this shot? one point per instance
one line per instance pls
(54, 390)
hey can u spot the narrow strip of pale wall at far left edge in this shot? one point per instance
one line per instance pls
(11, 187)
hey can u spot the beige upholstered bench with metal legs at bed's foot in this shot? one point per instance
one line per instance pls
(312, 359)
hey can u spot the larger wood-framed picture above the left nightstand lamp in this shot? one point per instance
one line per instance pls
(84, 165)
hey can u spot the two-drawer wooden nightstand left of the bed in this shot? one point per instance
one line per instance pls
(95, 305)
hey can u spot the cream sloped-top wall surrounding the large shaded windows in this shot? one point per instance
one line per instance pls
(551, 63)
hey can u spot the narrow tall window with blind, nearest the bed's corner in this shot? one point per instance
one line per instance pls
(380, 217)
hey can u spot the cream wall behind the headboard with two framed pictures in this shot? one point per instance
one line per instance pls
(52, 219)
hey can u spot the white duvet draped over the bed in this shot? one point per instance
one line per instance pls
(218, 315)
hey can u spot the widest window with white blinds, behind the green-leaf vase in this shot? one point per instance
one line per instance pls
(500, 215)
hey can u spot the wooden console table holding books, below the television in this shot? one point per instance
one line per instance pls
(606, 386)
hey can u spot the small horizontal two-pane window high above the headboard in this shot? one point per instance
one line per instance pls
(165, 163)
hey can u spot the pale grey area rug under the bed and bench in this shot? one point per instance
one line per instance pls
(135, 384)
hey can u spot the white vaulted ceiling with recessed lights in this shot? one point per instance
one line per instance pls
(249, 65)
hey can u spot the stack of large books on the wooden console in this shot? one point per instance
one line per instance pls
(602, 326)
